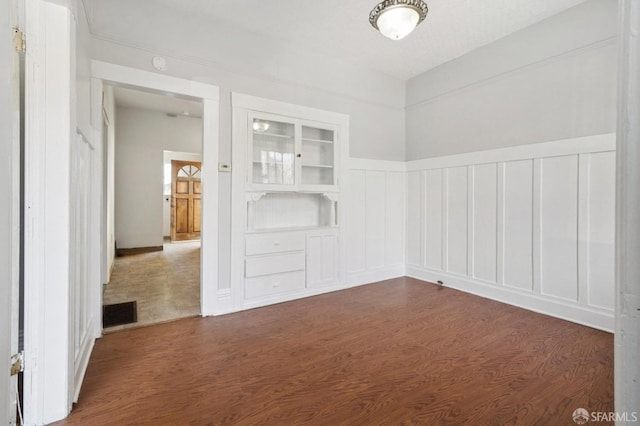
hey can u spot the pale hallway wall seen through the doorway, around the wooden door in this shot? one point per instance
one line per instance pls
(141, 138)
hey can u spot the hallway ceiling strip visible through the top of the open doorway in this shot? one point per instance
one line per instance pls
(130, 98)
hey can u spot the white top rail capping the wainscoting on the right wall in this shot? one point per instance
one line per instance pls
(586, 144)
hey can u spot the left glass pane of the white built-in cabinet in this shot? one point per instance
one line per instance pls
(273, 152)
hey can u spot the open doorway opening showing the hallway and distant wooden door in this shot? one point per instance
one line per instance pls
(151, 279)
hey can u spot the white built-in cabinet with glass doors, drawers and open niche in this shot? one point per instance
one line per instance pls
(287, 214)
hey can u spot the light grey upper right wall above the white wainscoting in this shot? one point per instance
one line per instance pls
(554, 80)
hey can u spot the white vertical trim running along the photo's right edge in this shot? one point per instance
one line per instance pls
(627, 322)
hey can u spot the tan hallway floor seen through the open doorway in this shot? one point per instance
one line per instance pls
(165, 284)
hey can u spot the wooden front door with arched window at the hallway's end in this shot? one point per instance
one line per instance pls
(186, 200)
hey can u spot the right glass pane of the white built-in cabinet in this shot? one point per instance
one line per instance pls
(317, 156)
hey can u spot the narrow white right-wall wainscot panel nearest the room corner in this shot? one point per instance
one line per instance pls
(414, 218)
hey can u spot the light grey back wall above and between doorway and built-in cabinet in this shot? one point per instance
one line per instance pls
(374, 102)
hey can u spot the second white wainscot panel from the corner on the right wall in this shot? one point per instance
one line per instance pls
(433, 216)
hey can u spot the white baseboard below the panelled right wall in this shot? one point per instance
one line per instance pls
(591, 317)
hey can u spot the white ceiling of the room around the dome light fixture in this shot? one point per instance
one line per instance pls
(335, 28)
